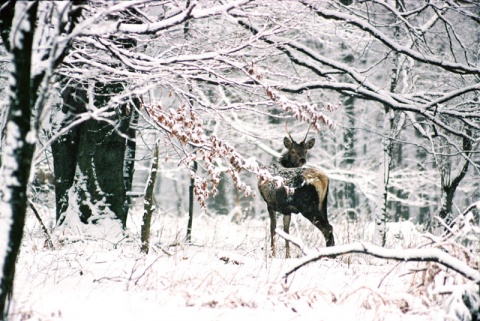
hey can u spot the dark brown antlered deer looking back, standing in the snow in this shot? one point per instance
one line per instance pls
(305, 191)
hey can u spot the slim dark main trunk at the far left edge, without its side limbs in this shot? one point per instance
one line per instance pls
(18, 152)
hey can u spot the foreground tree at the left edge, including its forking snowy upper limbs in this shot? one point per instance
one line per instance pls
(32, 70)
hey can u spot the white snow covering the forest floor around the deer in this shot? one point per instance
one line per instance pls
(100, 274)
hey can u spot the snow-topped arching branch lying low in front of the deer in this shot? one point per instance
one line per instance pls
(414, 255)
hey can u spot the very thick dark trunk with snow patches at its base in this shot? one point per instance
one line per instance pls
(91, 158)
